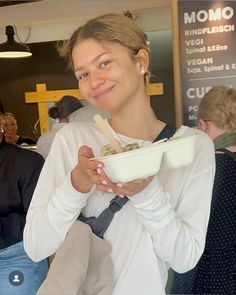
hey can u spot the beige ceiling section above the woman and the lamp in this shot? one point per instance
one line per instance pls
(56, 19)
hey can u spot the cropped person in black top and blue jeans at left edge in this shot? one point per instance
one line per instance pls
(19, 172)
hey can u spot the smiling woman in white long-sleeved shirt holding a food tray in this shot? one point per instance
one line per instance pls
(164, 222)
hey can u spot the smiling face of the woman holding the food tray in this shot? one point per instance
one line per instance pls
(107, 74)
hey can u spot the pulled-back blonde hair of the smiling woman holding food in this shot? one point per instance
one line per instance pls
(109, 27)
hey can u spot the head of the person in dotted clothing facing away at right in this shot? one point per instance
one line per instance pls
(217, 112)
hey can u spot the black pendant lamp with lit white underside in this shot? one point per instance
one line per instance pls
(11, 48)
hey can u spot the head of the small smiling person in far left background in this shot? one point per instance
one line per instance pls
(8, 123)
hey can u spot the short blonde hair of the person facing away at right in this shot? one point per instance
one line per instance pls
(219, 106)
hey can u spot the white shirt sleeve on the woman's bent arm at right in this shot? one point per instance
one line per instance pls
(179, 230)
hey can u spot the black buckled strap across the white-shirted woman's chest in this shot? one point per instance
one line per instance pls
(100, 224)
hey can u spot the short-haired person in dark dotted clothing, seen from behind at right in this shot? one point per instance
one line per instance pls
(215, 271)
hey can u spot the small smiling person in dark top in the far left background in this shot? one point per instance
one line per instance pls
(10, 128)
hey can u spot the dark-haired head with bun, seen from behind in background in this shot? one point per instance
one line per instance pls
(64, 107)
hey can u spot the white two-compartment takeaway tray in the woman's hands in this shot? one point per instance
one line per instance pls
(147, 161)
